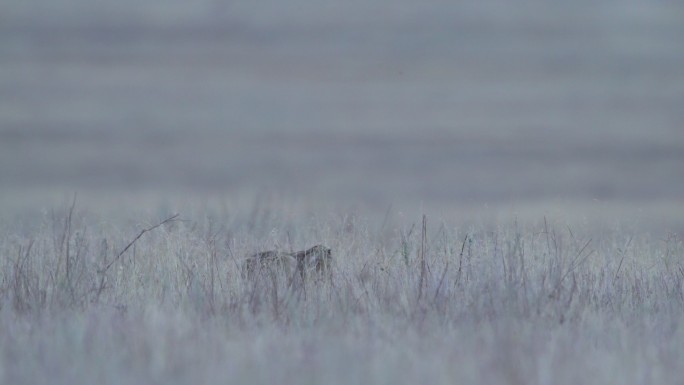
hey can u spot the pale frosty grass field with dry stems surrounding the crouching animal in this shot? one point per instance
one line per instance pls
(513, 303)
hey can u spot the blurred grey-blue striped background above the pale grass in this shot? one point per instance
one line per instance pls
(436, 106)
